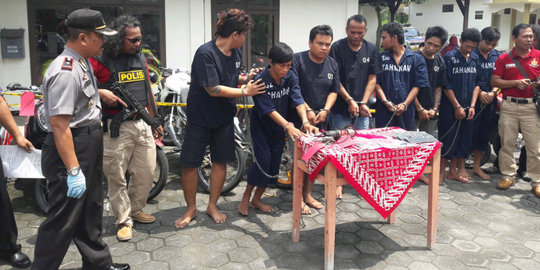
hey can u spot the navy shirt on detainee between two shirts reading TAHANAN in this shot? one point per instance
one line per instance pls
(437, 78)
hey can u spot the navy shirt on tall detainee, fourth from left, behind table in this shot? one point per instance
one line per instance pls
(354, 69)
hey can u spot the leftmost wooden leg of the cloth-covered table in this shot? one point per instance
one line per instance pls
(298, 181)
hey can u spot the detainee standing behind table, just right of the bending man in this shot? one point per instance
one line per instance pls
(318, 76)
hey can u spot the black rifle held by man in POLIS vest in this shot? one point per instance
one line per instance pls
(134, 107)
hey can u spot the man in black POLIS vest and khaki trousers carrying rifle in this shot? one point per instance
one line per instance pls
(134, 149)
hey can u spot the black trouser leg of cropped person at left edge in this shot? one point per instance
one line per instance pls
(8, 227)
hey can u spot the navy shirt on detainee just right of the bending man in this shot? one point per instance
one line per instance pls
(316, 81)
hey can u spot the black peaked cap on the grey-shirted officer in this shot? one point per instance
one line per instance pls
(88, 19)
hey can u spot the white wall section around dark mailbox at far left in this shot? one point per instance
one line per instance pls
(13, 15)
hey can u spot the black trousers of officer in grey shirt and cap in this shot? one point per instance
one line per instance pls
(69, 219)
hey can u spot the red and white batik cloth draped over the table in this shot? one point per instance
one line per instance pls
(382, 176)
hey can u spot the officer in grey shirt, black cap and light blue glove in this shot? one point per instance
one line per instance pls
(72, 152)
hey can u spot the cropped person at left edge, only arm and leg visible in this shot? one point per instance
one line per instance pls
(9, 250)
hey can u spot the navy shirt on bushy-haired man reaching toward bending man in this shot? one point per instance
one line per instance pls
(211, 67)
